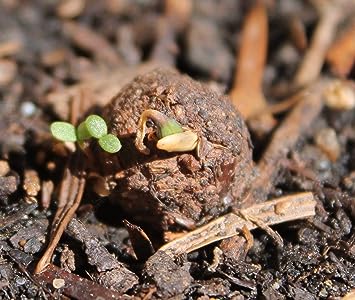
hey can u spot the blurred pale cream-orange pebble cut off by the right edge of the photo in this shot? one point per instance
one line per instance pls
(340, 95)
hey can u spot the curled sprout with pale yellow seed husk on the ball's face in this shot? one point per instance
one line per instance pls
(172, 136)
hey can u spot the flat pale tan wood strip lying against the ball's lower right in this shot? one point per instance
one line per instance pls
(270, 212)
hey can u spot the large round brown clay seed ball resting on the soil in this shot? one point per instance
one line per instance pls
(166, 189)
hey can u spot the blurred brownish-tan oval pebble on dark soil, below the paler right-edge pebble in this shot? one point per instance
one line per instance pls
(326, 139)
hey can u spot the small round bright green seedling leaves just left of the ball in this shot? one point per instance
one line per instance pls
(93, 127)
